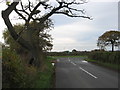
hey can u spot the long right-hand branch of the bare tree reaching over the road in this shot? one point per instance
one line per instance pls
(66, 9)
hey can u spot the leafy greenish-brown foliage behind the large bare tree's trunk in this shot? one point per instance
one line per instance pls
(44, 37)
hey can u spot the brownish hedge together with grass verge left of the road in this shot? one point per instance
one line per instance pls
(17, 74)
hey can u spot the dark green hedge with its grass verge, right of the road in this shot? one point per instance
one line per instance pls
(104, 58)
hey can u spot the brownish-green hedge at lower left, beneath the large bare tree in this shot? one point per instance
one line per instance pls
(14, 73)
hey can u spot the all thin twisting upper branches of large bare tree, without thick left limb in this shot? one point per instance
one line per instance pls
(64, 7)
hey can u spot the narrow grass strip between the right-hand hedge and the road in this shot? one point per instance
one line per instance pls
(107, 65)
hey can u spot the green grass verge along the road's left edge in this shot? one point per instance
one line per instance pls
(45, 78)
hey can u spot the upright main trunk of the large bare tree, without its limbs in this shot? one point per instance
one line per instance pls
(36, 50)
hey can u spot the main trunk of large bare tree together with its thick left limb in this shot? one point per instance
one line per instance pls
(29, 44)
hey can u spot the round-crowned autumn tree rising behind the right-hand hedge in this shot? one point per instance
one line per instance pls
(109, 38)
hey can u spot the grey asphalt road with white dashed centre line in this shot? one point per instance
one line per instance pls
(74, 72)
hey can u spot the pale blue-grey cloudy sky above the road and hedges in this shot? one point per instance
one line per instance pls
(79, 33)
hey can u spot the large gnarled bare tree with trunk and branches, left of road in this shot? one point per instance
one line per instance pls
(34, 12)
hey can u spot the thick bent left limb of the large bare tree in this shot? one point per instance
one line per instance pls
(16, 37)
